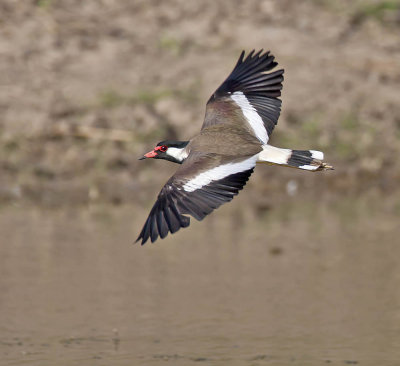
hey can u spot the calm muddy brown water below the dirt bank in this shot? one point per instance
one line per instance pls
(303, 284)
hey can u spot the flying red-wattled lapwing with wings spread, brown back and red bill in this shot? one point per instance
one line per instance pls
(217, 162)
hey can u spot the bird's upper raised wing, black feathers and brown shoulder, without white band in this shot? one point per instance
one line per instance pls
(261, 90)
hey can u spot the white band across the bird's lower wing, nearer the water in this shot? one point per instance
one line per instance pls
(218, 173)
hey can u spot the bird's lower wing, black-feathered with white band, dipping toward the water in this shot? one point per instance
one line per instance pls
(196, 196)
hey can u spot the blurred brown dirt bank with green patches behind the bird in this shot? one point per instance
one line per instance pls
(87, 87)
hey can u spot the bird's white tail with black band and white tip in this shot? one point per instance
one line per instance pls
(302, 159)
